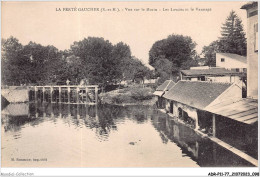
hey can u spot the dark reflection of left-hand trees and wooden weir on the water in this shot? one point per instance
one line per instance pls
(103, 119)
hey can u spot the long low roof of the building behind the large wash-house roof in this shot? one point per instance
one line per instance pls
(210, 71)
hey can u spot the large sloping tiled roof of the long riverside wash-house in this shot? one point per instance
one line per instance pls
(197, 94)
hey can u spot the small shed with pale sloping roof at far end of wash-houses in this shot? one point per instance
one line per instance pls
(161, 90)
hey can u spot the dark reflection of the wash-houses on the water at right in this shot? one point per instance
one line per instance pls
(202, 150)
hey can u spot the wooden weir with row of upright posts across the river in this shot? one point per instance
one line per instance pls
(77, 94)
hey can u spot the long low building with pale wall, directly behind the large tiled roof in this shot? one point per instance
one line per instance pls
(212, 74)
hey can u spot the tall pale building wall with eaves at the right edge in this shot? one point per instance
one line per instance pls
(252, 48)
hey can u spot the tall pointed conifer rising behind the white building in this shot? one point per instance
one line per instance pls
(232, 38)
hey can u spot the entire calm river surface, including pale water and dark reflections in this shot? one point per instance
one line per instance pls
(70, 135)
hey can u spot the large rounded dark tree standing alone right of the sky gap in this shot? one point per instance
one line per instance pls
(178, 49)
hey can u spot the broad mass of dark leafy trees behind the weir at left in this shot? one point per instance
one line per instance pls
(95, 59)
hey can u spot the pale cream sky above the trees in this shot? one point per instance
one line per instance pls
(58, 24)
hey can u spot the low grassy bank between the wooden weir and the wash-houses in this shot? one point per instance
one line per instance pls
(130, 95)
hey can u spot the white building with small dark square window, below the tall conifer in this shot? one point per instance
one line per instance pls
(231, 61)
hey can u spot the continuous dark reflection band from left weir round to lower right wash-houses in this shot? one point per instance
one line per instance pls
(104, 119)
